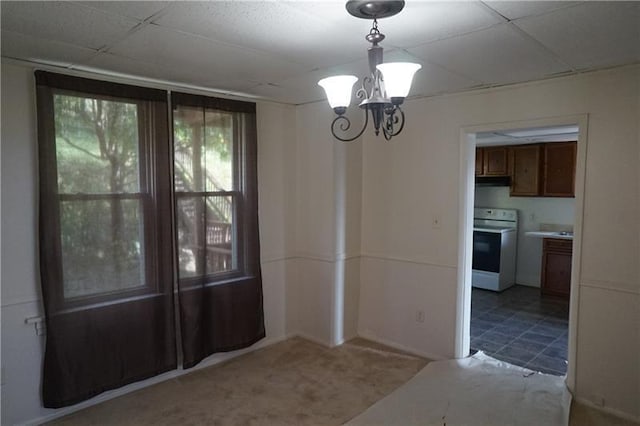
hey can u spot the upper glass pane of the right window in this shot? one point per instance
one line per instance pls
(203, 150)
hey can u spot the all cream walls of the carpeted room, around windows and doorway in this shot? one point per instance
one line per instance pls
(348, 232)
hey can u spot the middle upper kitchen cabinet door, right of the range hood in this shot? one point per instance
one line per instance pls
(525, 169)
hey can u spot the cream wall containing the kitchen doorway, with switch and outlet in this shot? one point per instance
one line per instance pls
(415, 178)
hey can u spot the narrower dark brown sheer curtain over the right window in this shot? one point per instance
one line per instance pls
(215, 178)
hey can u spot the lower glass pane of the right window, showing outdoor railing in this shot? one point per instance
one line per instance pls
(205, 236)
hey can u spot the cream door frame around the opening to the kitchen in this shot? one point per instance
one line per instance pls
(465, 225)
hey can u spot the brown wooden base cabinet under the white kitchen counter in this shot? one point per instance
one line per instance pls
(556, 267)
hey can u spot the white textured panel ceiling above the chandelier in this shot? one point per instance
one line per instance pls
(278, 50)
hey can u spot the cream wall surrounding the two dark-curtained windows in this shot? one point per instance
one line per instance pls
(22, 350)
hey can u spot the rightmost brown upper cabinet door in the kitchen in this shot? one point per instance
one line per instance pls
(559, 169)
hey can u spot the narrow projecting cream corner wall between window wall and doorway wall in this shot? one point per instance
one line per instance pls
(325, 291)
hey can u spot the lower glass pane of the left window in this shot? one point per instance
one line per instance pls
(102, 243)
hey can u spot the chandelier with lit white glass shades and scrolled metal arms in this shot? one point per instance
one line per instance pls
(383, 91)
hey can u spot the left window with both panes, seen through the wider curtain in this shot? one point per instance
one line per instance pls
(101, 154)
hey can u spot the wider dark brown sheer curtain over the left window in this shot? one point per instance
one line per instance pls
(103, 338)
